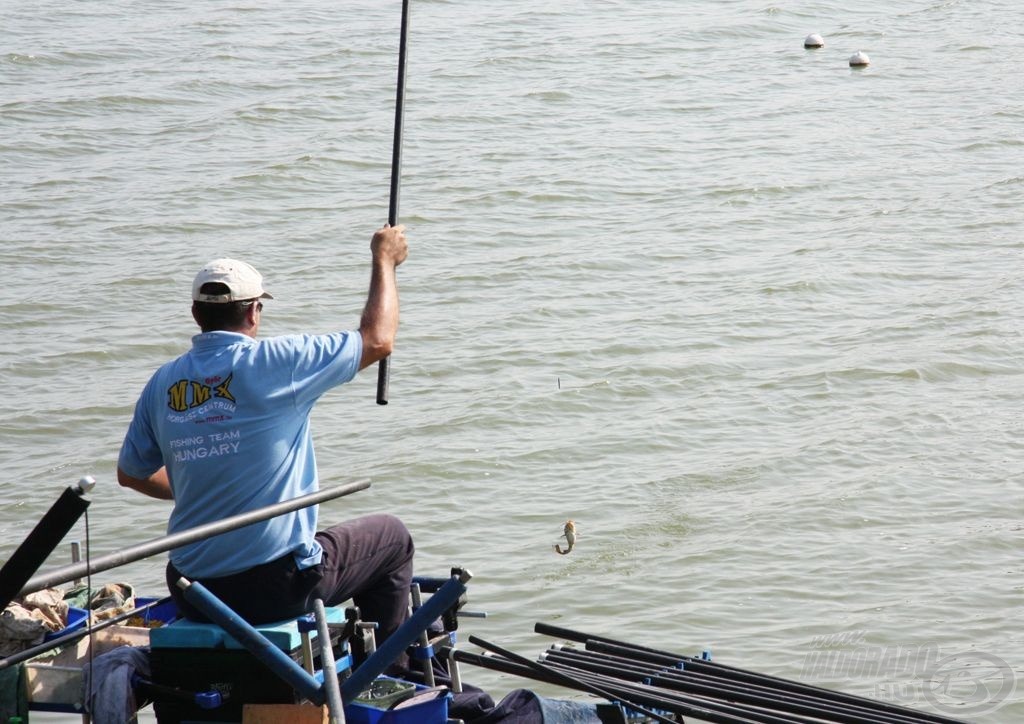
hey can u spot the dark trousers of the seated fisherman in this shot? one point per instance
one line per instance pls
(369, 561)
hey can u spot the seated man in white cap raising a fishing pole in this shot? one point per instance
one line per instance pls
(225, 430)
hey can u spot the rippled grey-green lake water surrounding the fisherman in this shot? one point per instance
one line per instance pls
(749, 316)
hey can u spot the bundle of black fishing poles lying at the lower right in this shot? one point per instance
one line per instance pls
(660, 687)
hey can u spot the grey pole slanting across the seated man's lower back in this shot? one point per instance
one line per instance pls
(200, 533)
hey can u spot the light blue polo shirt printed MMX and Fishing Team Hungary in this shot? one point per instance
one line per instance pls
(231, 421)
